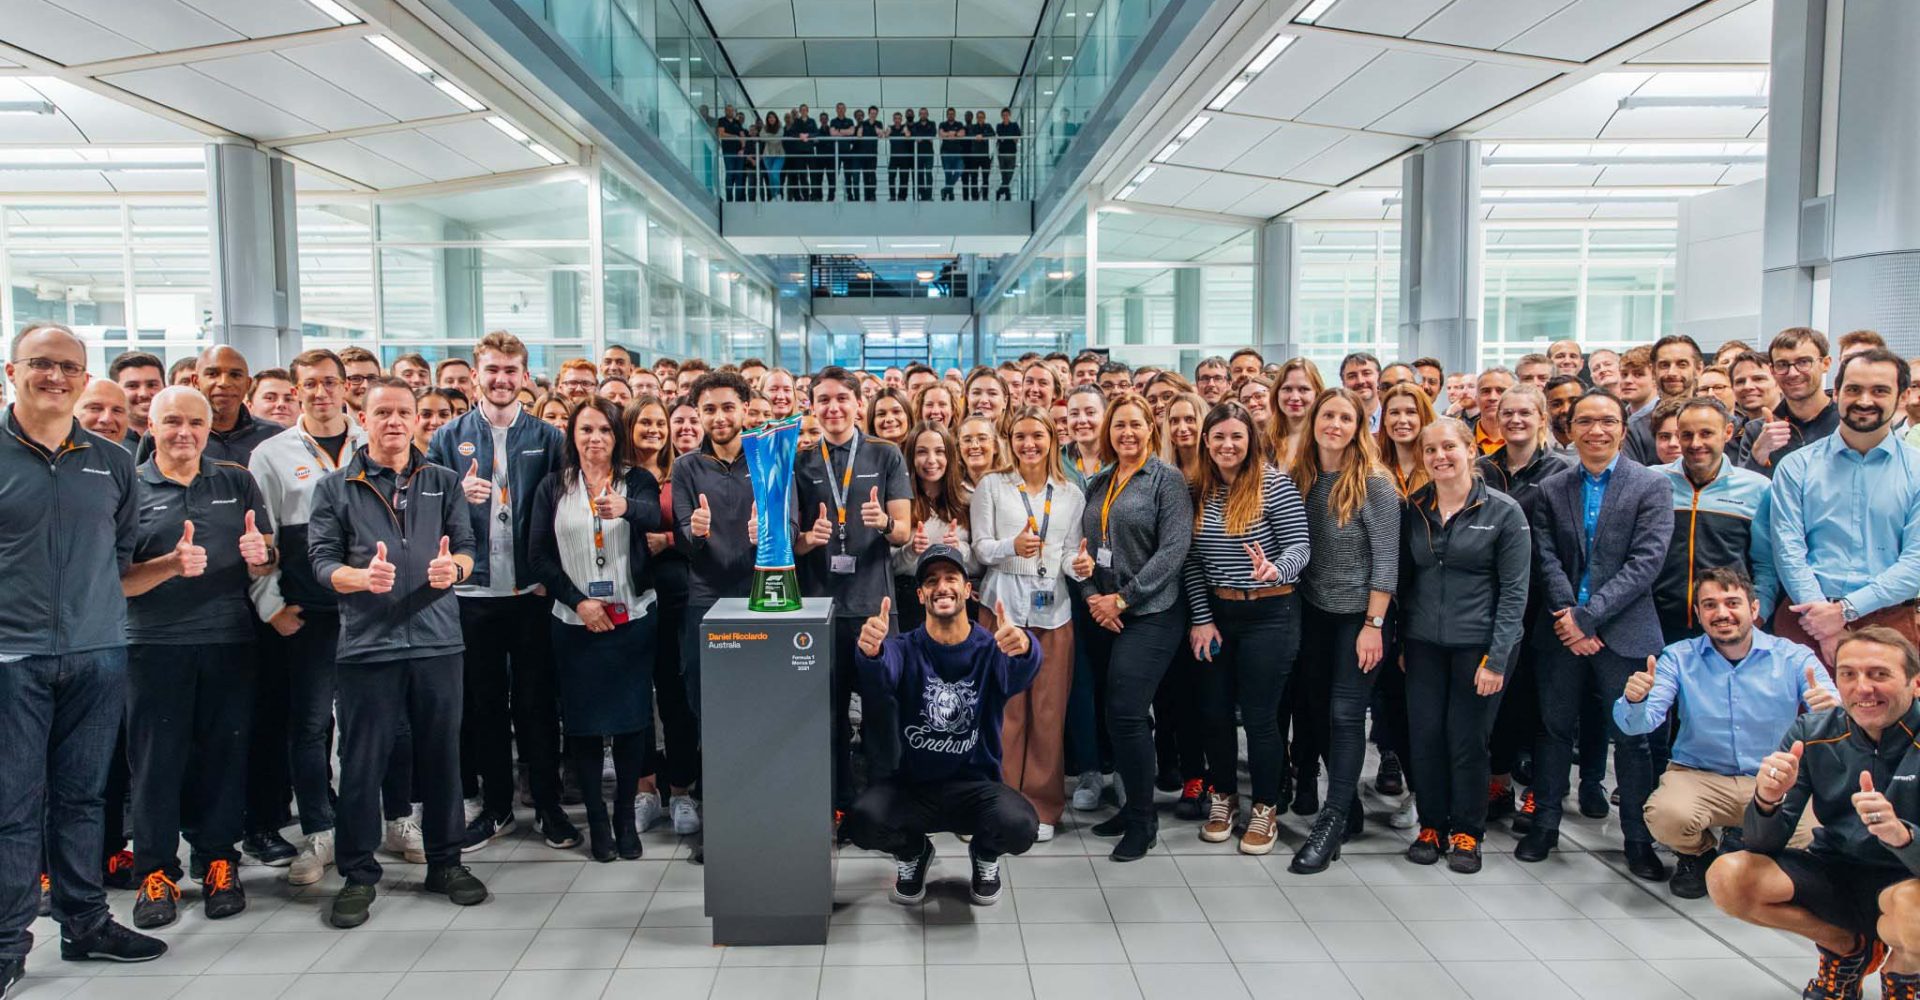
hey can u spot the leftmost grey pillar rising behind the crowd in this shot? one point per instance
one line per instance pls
(254, 254)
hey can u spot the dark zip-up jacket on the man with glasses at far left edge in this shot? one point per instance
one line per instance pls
(72, 519)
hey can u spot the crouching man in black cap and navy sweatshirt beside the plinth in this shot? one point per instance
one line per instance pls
(948, 682)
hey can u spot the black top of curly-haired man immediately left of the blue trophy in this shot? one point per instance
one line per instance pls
(723, 561)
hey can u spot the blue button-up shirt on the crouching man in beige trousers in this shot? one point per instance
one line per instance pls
(1731, 717)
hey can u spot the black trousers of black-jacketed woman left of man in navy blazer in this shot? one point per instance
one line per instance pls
(1451, 726)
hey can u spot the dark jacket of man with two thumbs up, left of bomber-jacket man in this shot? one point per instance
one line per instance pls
(352, 515)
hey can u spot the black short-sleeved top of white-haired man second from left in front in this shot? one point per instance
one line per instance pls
(208, 609)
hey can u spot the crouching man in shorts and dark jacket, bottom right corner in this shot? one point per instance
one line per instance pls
(1854, 893)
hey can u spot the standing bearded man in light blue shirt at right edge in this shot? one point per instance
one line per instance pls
(1848, 515)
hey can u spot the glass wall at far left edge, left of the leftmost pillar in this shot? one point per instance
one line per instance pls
(126, 274)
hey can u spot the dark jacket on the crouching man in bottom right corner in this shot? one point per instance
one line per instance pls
(1829, 776)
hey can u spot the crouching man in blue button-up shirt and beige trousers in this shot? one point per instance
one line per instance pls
(1735, 688)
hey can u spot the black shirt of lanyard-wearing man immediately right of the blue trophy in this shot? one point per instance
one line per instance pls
(876, 464)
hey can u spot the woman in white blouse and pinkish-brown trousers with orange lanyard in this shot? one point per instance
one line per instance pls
(1026, 531)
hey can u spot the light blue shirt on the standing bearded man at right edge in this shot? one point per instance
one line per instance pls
(1848, 525)
